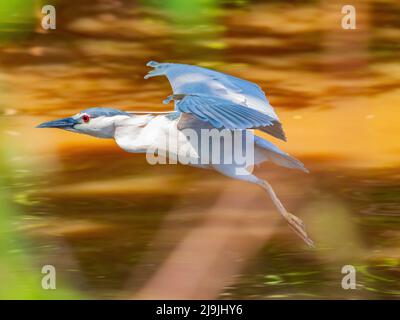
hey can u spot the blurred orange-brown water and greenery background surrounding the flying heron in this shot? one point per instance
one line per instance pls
(115, 227)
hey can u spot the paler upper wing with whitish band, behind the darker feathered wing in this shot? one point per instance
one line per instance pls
(187, 79)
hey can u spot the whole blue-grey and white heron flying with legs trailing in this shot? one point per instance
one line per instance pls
(204, 100)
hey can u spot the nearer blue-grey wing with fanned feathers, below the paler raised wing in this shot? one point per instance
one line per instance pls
(222, 113)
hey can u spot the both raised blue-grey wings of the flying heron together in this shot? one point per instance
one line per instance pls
(245, 103)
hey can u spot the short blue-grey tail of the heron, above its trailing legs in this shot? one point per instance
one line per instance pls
(271, 152)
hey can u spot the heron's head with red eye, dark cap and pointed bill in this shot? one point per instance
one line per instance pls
(97, 122)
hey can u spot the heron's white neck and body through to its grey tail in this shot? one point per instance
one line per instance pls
(141, 133)
